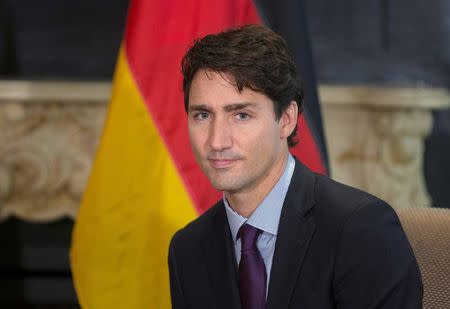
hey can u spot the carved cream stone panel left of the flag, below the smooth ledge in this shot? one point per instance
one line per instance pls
(46, 151)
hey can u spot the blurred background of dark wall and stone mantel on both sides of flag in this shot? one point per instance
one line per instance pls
(383, 72)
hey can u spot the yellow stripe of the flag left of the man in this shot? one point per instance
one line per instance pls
(134, 202)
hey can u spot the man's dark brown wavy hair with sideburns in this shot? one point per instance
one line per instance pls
(256, 58)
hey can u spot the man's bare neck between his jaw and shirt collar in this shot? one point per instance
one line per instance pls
(246, 201)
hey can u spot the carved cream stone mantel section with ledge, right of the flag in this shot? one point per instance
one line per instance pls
(376, 139)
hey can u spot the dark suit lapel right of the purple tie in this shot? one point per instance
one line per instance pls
(294, 235)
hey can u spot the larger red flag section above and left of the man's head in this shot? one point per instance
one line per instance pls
(157, 36)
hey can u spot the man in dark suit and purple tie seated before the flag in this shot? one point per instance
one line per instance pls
(282, 236)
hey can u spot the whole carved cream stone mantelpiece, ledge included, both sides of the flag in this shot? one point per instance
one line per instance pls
(49, 132)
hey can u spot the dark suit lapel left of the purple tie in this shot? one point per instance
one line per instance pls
(221, 262)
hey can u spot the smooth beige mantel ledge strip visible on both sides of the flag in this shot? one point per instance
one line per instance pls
(365, 95)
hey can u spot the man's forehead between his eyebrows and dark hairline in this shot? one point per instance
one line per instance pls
(213, 88)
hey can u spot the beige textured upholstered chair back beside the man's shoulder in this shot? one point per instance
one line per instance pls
(428, 230)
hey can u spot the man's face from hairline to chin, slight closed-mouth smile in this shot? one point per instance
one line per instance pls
(235, 137)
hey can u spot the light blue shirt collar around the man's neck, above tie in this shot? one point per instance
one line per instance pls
(266, 216)
